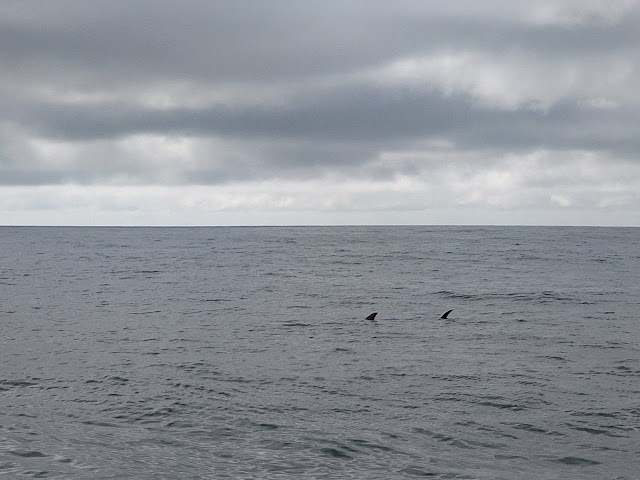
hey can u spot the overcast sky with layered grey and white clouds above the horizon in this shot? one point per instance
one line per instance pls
(206, 112)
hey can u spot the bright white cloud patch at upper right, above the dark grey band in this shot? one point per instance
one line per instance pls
(514, 80)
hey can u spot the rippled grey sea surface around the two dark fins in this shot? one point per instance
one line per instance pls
(239, 353)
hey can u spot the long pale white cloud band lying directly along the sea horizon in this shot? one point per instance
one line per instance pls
(545, 182)
